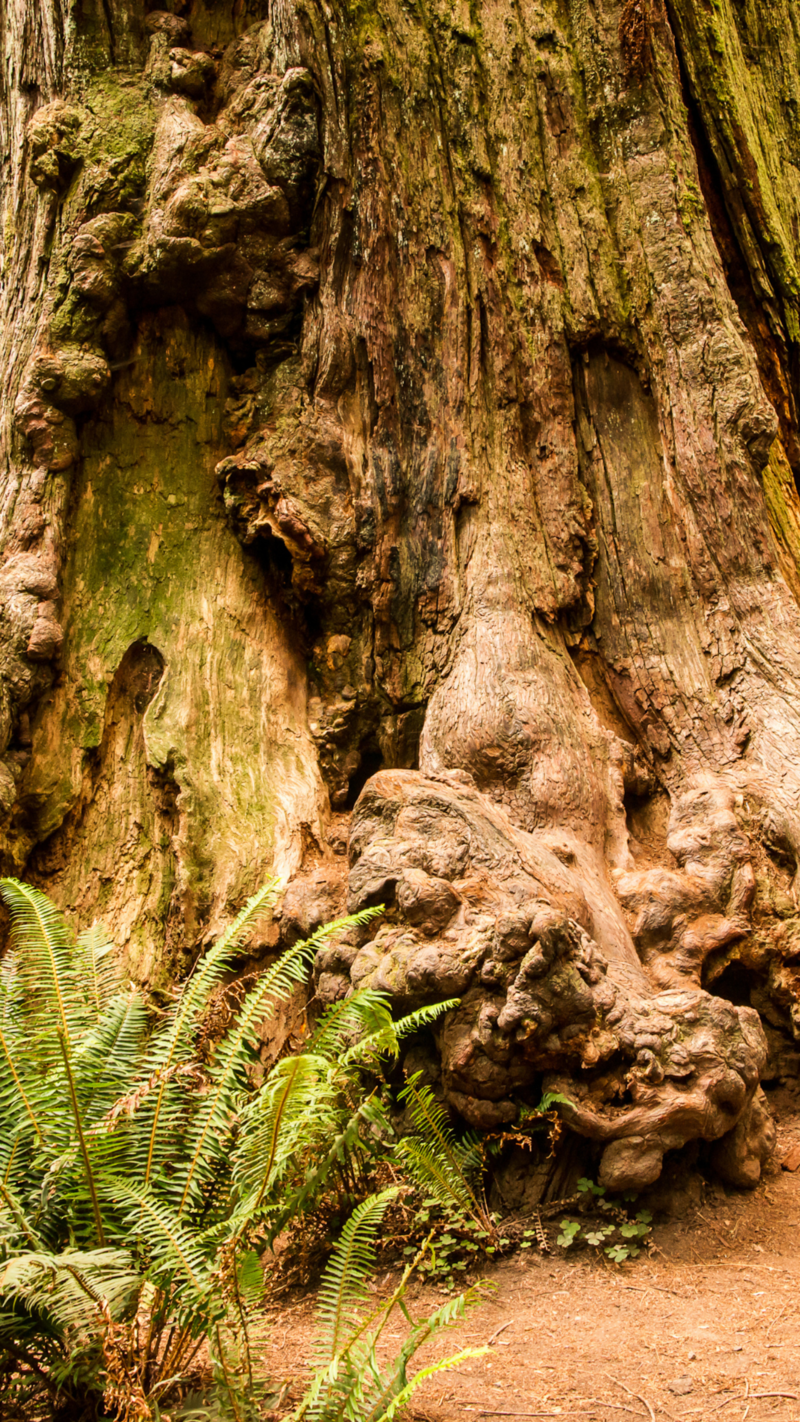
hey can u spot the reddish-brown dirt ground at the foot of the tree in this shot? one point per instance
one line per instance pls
(706, 1325)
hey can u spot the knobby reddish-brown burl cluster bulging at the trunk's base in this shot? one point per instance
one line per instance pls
(498, 918)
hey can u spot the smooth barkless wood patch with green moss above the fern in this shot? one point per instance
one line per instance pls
(154, 562)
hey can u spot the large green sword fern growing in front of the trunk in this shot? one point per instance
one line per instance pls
(136, 1174)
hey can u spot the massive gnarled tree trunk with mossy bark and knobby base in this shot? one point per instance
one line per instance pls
(399, 460)
